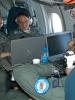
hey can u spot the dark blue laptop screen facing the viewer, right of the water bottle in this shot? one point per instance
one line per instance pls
(58, 44)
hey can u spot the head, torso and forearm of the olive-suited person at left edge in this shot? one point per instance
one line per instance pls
(4, 42)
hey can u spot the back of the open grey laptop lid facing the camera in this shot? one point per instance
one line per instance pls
(26, 49)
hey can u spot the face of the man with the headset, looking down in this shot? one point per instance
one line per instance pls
(23, 22)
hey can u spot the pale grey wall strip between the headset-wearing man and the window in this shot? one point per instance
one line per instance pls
(36, 7)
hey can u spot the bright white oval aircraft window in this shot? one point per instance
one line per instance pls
(55, 23)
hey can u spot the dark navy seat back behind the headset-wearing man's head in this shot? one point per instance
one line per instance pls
(13, 12)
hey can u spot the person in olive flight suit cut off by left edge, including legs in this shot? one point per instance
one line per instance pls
(5, 91)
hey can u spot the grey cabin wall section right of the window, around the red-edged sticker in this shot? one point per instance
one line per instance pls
(69, 20)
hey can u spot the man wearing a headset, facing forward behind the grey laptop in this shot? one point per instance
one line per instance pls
(23, 26)
